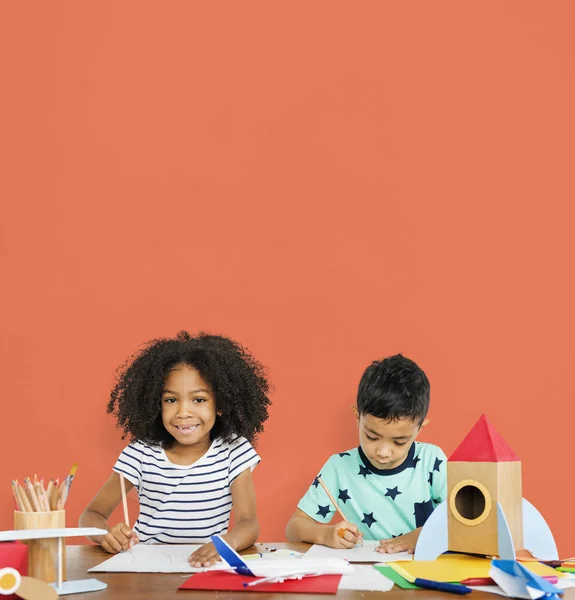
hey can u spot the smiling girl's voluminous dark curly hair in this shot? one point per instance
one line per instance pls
(237, 379)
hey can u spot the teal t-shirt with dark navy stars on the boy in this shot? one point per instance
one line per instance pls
(383, 503)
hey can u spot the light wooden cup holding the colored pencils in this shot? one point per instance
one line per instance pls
(43, 553)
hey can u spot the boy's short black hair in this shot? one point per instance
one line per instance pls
(394, 388)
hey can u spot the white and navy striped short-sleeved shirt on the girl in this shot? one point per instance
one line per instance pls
(184, 504)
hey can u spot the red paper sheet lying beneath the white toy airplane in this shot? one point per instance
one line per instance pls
(223, 581)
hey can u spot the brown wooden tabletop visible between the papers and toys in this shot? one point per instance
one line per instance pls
(163, 586)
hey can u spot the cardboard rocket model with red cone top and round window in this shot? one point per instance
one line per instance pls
(484, 512)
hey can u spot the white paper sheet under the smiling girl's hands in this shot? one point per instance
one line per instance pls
(152, 558)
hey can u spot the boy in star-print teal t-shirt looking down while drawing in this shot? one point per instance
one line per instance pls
(390, 484)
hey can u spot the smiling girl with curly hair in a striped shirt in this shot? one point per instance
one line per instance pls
(190, 406)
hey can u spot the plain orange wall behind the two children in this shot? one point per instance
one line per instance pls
(326, 182)
